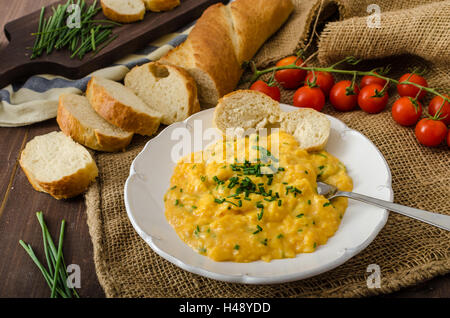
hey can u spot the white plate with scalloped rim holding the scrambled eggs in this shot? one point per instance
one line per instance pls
(150, 179)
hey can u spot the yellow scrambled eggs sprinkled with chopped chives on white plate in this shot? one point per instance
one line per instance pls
(263, 207)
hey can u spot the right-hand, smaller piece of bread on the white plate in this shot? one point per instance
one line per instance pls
(308, 126)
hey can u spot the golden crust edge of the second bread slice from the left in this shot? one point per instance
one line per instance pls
(89, 137)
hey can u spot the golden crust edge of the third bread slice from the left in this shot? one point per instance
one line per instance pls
(118, 114)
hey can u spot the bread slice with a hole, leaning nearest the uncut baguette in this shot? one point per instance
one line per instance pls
(168, 89)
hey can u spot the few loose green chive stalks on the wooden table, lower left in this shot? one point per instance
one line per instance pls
(56, 274)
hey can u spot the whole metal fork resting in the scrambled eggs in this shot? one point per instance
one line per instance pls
(440, 220)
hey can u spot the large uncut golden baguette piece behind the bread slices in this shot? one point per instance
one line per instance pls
(222, 39)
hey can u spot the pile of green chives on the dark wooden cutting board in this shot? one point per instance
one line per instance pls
(54, 33)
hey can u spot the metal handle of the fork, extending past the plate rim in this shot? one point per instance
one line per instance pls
(440, 220)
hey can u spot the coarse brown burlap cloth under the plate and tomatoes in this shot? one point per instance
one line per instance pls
(407, 251)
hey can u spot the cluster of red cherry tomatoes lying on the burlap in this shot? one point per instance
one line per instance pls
(314, 87)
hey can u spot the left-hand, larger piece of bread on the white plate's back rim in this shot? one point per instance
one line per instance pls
(242, 110)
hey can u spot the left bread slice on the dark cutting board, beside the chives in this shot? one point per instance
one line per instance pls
(123, 11)
